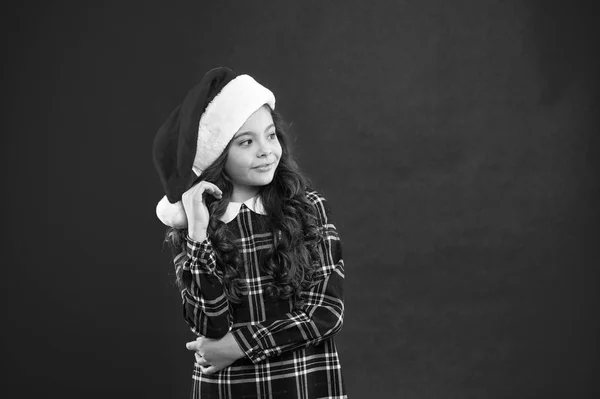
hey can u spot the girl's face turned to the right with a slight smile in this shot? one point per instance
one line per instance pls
(253, 155)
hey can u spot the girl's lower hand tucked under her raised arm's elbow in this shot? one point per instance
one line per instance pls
(215, 354)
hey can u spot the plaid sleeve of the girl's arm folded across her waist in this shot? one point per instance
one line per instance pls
(318, 319)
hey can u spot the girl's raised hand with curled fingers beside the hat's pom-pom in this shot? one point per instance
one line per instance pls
(196, 210)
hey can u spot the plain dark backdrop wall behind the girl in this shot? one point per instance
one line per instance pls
(457, 143)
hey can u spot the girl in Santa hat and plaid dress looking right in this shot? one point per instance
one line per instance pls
(257, 258)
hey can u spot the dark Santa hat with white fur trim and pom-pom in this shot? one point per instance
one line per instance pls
(198, 131)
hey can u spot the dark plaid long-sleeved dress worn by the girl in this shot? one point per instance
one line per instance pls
(290, 353)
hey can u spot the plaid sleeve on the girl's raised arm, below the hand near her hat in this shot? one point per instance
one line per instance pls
(205, 306)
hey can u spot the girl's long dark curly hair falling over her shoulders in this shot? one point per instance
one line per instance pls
(292, 219)
